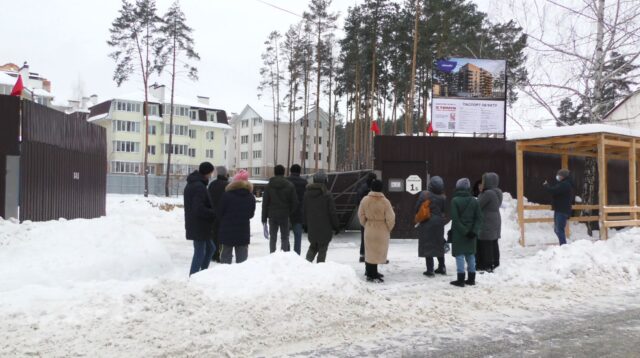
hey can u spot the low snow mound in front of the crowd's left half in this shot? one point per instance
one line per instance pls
(276, 277)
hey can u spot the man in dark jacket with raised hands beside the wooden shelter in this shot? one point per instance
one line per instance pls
(561, 193)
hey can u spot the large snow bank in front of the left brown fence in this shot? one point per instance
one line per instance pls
(62, 253)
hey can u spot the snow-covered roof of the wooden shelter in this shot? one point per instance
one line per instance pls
(572, 130)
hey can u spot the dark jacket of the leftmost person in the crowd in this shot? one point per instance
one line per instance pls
(198, 214)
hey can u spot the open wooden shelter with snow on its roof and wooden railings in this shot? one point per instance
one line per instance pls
(602, 142)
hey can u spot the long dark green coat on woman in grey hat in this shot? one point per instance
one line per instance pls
(465, 217)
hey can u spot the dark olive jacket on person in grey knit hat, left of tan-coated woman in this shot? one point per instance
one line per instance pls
(320, 216)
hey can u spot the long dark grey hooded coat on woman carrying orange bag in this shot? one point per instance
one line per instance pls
(431, 232)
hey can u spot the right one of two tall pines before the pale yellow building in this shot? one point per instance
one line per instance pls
(176, 42)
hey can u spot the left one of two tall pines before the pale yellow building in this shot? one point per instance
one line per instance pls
(134, 37)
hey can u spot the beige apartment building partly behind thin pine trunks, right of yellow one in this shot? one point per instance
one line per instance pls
(252, 145)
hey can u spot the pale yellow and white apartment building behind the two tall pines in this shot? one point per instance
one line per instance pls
(199, 132)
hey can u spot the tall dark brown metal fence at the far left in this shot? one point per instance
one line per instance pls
(62, 163)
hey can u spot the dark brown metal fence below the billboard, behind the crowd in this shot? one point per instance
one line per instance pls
(453, 158)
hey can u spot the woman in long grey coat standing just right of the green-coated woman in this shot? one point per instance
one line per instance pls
(490, 200)
